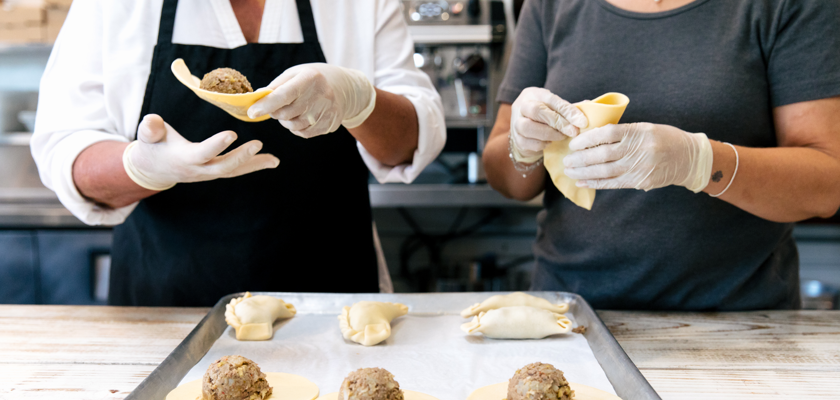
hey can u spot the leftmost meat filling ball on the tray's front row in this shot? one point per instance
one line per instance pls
(234, 378)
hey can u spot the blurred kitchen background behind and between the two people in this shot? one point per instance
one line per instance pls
(449, 231)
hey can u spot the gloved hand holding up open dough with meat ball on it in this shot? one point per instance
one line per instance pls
(315, 99)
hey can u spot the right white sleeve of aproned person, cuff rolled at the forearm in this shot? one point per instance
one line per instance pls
(396, 73)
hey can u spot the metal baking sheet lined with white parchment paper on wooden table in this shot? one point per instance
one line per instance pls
(427, 351)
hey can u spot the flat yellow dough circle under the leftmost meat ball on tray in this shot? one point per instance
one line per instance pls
(284, 387)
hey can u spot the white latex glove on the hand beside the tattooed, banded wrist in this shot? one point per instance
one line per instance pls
(640, 156)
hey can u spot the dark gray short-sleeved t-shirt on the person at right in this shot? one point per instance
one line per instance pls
(712, 66)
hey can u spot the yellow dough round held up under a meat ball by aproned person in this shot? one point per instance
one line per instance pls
(236, 105)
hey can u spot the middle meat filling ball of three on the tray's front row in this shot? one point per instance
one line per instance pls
(370, 384)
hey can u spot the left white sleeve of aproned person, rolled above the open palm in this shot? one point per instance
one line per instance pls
(72, 113)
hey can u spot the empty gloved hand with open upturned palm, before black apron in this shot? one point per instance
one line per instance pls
(161, 157)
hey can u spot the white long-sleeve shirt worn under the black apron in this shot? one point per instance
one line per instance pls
(95, 80)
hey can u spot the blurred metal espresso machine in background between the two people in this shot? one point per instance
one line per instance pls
(462, 46)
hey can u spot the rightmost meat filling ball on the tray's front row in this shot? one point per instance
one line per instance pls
(539, 381)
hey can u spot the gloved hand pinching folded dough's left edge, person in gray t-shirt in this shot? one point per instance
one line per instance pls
(539, 117)
